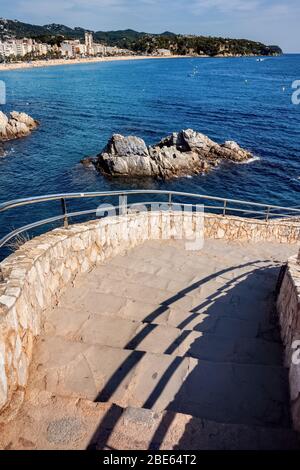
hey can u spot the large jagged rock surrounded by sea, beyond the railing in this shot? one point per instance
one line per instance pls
(179, 154)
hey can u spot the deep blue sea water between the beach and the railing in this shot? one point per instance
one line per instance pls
(80, 106)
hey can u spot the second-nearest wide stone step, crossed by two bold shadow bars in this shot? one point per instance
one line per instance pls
(222, 392)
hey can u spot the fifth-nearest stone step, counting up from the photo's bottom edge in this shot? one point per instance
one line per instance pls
(168, 281)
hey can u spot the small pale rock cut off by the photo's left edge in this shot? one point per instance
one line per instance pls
(16, 125)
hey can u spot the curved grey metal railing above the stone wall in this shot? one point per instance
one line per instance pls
(263, 212)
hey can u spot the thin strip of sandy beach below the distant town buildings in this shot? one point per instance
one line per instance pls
(59, 62)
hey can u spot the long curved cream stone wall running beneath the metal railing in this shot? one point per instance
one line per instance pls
(36, 274)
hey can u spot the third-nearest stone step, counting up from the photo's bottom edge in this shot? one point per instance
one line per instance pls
(65, 320)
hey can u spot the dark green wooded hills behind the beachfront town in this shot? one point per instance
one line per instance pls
(139, 42)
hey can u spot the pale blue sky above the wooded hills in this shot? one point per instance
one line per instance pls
(269, 21)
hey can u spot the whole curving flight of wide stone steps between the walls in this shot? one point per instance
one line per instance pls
(164, 348)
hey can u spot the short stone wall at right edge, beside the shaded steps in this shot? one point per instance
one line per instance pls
(288, 306)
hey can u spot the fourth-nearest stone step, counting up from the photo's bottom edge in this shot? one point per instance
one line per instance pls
(110, 295)
